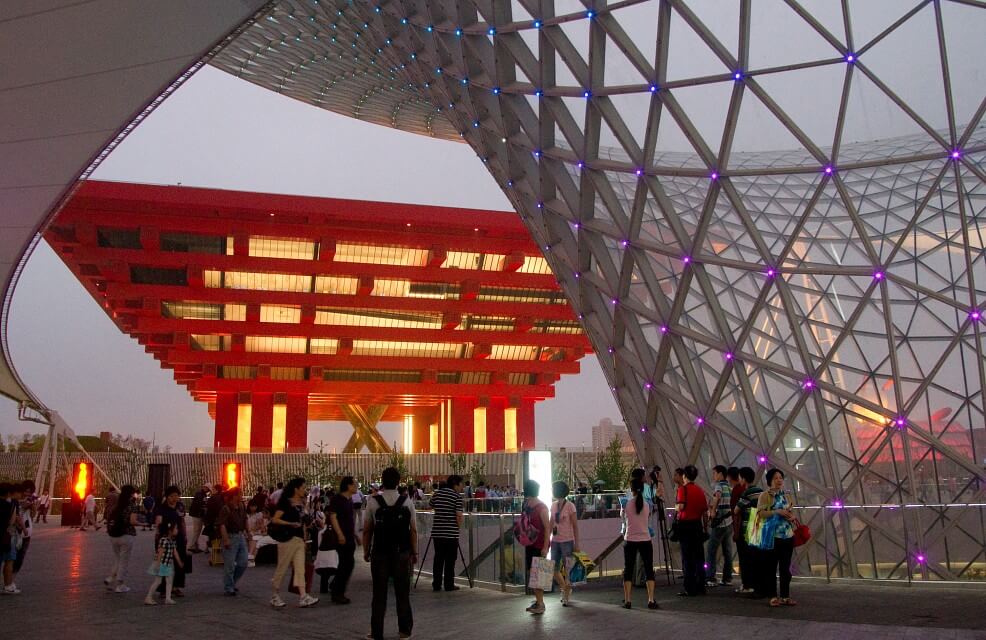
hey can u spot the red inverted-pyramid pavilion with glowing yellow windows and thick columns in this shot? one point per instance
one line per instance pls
(276, 310)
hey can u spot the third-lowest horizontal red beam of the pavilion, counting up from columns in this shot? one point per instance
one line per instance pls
(276, 329)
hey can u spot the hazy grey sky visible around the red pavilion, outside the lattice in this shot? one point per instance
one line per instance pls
(221, 132)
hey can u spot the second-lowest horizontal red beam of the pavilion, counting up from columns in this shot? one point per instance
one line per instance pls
(176, 357)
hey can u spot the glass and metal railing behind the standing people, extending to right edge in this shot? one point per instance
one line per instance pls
(921, 543)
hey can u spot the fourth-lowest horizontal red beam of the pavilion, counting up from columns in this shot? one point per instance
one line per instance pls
(129, 291)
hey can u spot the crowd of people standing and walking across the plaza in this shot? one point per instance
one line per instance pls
(315, 531)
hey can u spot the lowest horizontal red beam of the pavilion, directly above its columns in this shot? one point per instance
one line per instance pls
(346, 390)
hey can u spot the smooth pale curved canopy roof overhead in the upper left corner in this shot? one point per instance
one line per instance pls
(73, 76)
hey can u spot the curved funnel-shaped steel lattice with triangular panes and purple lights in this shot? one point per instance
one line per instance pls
(816, 309)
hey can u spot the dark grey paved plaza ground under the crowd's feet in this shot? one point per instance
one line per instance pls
(63, 592)
